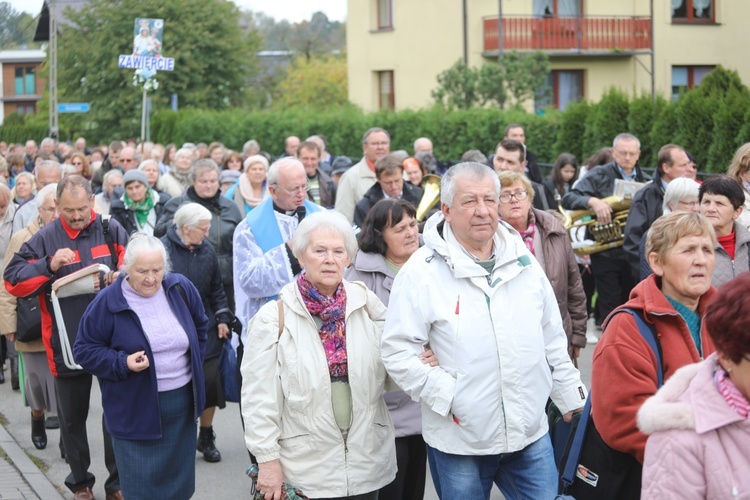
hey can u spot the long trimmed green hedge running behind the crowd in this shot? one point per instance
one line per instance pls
(710, 121)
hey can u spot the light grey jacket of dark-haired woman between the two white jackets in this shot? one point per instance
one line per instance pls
(371, 269)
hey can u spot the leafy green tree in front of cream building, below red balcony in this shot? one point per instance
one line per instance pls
(518, 79)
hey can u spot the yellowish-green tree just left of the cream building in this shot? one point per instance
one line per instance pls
(318, 83)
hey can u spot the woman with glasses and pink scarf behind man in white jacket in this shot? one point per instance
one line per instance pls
(548, 240)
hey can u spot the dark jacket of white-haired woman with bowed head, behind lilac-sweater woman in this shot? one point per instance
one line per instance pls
(199, 264)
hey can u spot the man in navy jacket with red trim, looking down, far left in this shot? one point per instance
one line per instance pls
(68, 244)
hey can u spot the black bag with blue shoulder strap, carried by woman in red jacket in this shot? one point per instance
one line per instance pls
(591, 469)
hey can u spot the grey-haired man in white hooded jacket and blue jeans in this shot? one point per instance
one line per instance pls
(475, 294)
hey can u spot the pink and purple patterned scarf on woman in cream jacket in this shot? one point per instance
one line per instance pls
(332, 310)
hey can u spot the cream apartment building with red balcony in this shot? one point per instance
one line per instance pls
(396, 48)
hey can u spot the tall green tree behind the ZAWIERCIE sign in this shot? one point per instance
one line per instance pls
(213, 59)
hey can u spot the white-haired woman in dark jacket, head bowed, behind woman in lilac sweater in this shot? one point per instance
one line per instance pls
(197, 261)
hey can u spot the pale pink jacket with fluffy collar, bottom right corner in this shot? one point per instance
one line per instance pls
(698, 446)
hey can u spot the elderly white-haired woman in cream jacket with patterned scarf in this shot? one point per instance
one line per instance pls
(313, 378)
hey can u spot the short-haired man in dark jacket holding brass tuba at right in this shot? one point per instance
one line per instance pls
(610, 268)
